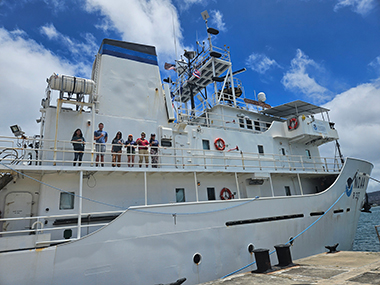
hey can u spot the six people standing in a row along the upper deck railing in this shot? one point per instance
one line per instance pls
(101, 137)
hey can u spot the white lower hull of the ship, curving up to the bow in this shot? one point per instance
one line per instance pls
(156, 244)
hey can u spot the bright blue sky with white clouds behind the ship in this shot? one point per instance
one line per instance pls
(325, 52)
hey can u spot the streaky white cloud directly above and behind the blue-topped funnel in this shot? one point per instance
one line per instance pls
(153, 22)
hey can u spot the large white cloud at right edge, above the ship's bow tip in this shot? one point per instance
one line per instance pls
(356, 114)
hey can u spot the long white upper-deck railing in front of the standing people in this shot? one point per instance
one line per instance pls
(230, 159)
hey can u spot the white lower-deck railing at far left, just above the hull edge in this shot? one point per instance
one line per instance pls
(35, 226)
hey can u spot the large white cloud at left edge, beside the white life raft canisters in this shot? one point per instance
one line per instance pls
(24, 65)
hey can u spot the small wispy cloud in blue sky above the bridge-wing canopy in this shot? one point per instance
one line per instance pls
(298, 79)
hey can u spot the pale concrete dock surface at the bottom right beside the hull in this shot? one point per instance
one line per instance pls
(343, 267)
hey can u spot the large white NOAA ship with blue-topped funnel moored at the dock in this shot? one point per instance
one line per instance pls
(230, 175)
